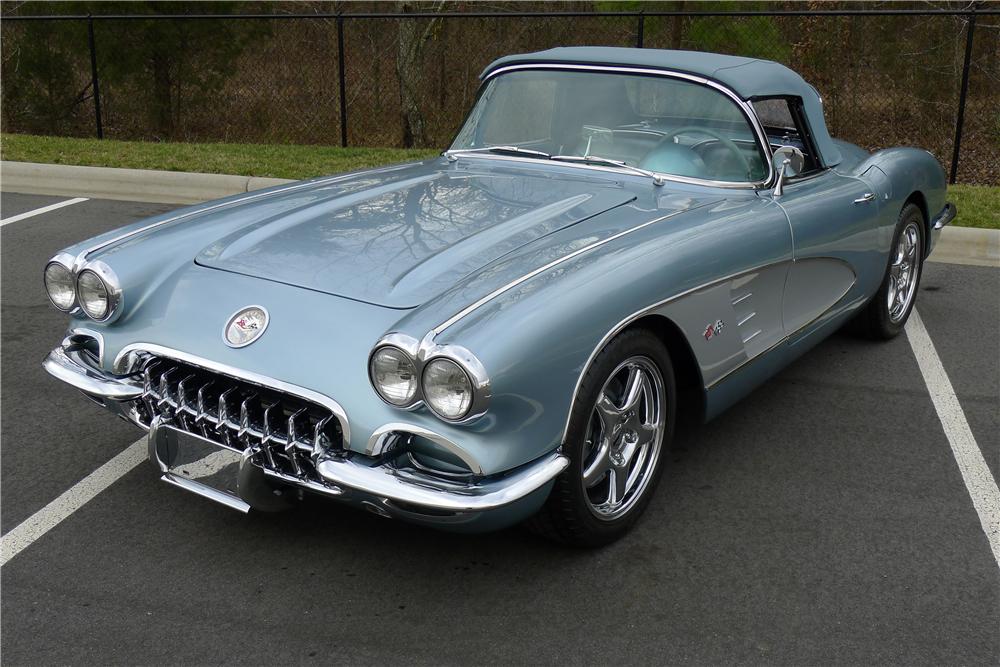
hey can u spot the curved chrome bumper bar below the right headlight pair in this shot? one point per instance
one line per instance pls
(388, 483)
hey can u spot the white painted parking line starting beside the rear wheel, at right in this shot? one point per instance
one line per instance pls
(976, 474)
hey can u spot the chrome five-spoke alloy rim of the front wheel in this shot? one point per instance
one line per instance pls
(624, 438)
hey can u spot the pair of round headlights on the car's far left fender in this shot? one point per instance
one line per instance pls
(95, 289)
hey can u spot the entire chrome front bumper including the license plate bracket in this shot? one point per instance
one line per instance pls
(377, 483)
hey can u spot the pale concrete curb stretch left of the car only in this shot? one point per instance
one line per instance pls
(163, 187)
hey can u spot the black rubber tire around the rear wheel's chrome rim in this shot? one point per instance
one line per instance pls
(877, 321)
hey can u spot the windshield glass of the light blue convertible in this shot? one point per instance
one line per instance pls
(667, 125)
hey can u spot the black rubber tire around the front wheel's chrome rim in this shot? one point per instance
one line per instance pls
(568, 515)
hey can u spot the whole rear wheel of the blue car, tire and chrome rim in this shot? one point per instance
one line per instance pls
(887, 312)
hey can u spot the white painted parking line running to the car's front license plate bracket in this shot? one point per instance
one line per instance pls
(76, 497)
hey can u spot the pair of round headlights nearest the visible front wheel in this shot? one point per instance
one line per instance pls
(447, 378)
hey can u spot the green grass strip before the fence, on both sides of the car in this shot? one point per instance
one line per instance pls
(978, 205)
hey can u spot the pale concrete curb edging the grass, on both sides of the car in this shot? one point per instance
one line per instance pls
(957, 245)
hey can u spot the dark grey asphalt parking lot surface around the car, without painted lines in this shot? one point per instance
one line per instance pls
(822, 520)
